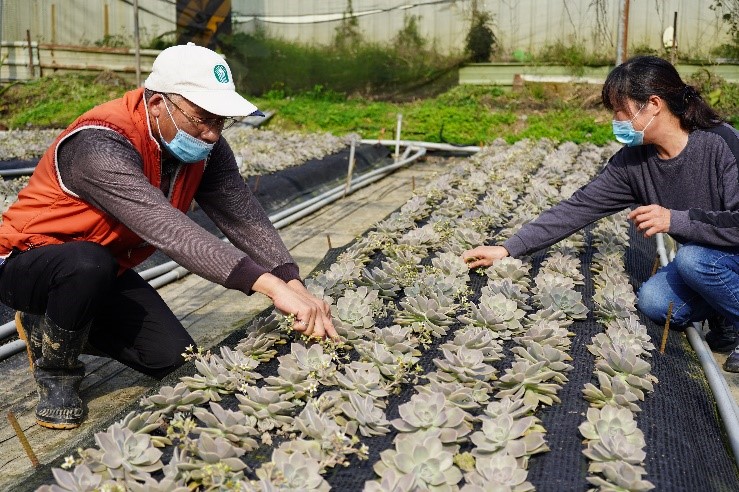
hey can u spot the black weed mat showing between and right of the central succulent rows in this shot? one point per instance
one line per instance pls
(687, 449)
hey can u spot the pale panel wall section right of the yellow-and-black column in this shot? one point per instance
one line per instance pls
(519, 24)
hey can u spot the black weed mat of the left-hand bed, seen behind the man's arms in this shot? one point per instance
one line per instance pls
(280, 189)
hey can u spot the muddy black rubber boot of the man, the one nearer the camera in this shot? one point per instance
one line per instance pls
(58, 375)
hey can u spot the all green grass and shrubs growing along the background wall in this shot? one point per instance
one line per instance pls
(360, 87)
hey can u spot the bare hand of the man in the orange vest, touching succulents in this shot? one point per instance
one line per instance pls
(312, 315)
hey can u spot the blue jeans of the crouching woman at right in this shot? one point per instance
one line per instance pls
(700, 281)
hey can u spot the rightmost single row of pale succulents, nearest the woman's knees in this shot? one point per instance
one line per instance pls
(614, 445)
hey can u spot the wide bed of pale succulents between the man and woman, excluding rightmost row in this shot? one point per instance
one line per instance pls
(396, 294)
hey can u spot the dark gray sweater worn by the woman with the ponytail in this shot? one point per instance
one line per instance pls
(700, 187)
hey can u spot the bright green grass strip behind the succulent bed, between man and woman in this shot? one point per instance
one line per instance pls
(467, 115)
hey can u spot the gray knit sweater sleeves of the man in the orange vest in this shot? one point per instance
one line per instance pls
(103, 168)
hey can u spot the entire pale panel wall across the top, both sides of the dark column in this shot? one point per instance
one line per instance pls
(526, 25)
